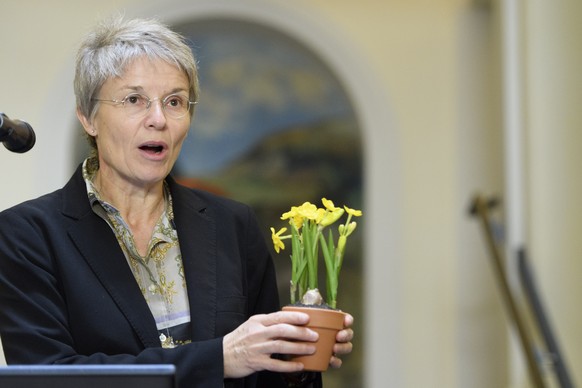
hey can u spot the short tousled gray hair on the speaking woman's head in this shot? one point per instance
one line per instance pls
(114, 44)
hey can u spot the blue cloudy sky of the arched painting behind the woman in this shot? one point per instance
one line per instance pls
(254, 82)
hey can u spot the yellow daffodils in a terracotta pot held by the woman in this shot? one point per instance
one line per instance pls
(308, 224)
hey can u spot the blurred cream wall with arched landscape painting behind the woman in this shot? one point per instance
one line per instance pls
(404, 109)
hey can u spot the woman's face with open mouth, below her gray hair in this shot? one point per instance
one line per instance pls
(139, 151)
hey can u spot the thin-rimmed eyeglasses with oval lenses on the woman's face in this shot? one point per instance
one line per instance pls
(136, 104)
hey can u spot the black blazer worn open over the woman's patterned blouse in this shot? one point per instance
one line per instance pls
(68, 296)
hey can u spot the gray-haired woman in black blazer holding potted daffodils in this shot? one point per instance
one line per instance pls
(123, 265)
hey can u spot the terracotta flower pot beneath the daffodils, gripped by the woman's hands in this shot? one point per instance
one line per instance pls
(326, 323)
